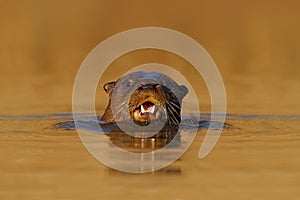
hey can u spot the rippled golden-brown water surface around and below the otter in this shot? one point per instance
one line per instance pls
(41, 160)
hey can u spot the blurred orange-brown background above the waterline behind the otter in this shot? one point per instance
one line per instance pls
(255, 44)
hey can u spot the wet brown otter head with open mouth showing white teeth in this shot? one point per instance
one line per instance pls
(149, 96)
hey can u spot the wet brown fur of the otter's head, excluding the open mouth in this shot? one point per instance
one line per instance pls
(158, 89)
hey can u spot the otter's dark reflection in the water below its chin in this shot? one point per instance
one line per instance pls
(146, 150)
